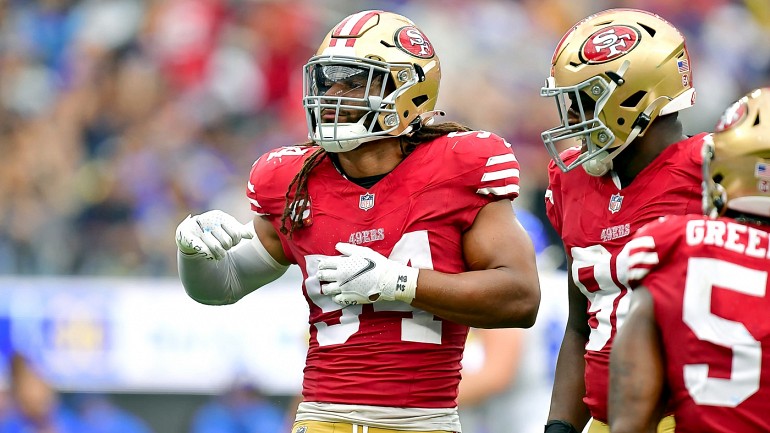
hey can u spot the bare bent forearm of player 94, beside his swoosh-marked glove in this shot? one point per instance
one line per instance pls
(492, 298)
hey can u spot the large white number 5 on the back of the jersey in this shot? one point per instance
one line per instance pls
(702, 275)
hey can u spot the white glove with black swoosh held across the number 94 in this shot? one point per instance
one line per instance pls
(363, 276)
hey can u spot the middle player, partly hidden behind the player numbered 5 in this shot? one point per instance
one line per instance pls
(619, 78)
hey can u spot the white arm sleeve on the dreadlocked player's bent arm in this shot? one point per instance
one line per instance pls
(246, 267)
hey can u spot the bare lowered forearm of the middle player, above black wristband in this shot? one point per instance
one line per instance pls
(569, 381)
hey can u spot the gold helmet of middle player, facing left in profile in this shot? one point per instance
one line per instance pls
(616, 71)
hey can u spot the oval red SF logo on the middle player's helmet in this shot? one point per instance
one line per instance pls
(609, 43)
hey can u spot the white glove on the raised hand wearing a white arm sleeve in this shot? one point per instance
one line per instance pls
(211, 234)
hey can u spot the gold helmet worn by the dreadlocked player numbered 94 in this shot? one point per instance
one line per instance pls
(375, 75)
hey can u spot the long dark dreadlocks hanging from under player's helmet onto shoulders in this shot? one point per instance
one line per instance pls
(297, 203)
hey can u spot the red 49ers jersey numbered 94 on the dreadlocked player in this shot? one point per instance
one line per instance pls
(387, 353)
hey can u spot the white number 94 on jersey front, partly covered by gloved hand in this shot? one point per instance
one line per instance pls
(422, 327)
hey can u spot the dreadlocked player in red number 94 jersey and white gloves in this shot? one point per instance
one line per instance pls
(403, 230)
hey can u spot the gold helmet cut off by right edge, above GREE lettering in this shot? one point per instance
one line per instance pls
(736, 159)
